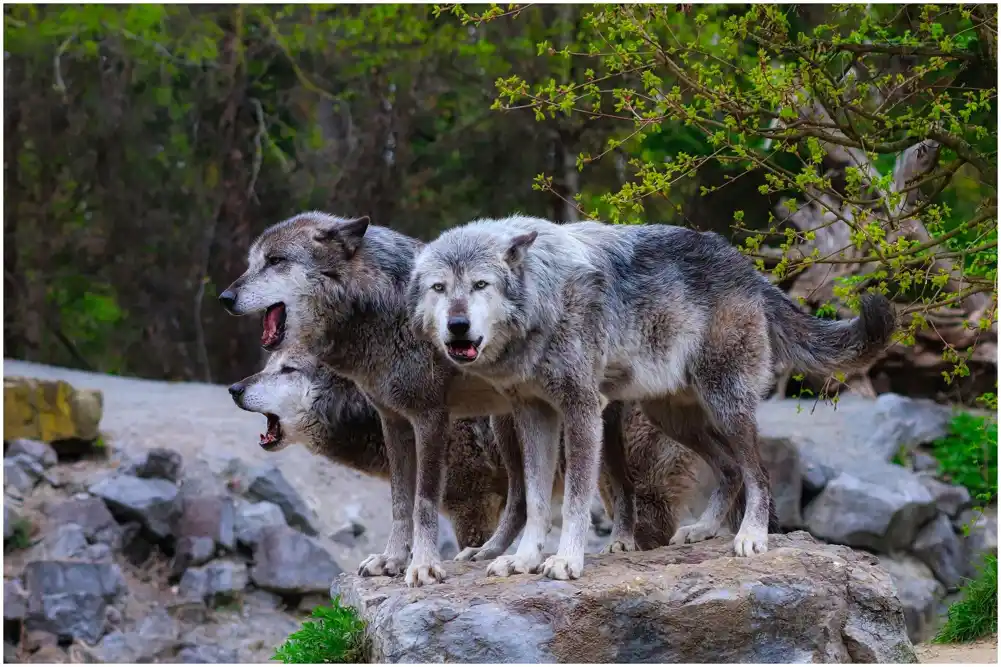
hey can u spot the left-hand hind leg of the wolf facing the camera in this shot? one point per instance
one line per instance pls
(688, 424)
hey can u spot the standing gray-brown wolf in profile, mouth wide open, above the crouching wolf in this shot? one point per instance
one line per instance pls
(338, 287)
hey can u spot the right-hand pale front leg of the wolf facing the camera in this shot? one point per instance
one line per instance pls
(583, 451)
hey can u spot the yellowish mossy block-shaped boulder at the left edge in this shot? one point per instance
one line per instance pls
(50, 411)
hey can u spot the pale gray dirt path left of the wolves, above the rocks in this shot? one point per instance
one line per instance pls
(202, 423)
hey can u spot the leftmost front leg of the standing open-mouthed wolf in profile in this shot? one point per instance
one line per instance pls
(400, 448)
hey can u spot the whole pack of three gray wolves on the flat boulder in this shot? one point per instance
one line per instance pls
(511, 361)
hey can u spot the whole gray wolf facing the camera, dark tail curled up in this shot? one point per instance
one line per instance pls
(564, 318)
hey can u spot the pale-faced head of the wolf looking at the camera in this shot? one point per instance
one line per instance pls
(467, 292)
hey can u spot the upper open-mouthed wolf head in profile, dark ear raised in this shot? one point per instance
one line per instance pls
(288, 266)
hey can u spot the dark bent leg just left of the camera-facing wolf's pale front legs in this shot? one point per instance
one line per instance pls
(514, 516)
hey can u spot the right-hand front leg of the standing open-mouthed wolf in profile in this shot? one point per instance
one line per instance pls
(430, 430)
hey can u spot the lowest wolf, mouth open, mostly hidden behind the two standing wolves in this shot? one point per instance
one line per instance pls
(306, 403)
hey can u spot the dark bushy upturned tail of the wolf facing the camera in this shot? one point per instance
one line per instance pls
(823, 346)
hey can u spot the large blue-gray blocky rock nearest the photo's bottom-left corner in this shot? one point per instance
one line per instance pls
(70, 599)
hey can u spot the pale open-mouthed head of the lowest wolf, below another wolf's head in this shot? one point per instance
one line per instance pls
(285, 392)
